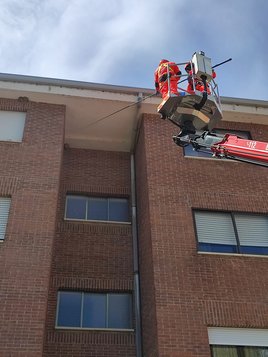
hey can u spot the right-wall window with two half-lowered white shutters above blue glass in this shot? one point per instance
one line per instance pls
(231, 232)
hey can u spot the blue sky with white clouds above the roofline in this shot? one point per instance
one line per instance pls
(121, 42)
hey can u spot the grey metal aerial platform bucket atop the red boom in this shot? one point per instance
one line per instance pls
(195, 109)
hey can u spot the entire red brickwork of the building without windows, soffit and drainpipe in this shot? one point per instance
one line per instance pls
(183, 292)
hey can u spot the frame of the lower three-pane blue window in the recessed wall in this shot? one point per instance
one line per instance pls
(83, 293)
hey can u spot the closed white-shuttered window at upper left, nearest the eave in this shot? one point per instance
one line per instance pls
(12, 125)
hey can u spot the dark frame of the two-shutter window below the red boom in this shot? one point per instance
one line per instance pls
(239, 246)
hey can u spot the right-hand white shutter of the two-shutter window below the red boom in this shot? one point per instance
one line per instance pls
(252, 229)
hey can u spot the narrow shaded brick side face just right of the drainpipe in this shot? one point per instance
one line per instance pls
(146, 260)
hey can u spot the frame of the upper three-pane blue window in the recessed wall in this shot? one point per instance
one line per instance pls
(88, 198)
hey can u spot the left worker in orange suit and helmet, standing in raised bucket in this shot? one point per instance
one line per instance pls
(164, 69)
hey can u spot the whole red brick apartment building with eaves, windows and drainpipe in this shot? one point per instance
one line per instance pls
(116, 242)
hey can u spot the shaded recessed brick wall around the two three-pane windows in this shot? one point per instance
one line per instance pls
(91, 256)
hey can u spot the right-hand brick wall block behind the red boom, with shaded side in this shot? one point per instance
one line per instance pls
(192, 291)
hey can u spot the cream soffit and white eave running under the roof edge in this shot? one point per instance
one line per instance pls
(95, 114)
